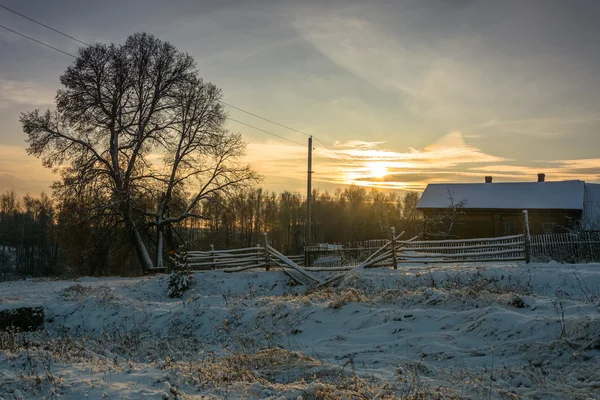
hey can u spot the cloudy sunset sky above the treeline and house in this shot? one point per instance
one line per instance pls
(402, 93)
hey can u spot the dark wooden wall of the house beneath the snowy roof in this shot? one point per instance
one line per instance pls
(474, 223)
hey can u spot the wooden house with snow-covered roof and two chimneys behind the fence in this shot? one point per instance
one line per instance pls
(471, 210)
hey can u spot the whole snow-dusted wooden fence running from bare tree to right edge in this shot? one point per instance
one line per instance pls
(567, 247)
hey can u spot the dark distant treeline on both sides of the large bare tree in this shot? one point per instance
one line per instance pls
(41, 238)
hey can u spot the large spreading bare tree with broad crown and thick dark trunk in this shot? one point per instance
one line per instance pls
(121, 106)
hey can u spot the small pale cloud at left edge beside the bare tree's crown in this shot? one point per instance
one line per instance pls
(16, 92)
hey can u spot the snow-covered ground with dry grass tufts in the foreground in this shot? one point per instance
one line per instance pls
(510, 331)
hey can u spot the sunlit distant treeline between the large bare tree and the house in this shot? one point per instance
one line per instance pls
(348, 215)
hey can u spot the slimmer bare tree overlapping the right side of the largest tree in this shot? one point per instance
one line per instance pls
(201, 151)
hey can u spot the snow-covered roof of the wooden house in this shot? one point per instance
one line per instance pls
(564, 195)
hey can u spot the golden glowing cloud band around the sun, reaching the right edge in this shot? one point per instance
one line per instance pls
(369, 164)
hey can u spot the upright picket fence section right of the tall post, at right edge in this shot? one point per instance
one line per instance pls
(566, 247)
